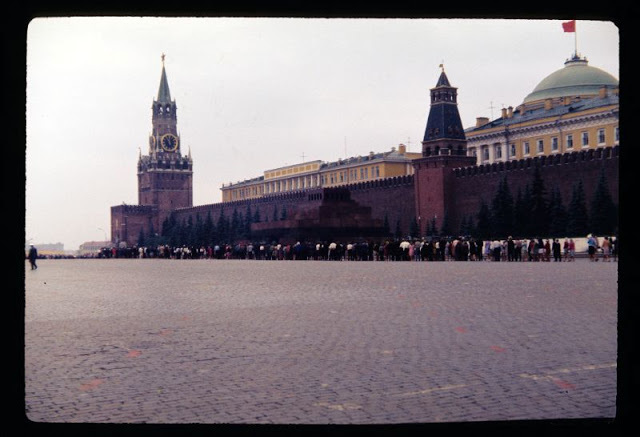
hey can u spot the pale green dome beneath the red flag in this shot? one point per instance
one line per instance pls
(577, 78)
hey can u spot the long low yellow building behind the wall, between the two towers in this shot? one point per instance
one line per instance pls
(316, 174)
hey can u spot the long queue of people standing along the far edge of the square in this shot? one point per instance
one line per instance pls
(433, 249)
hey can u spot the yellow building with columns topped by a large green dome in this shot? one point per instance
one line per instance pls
(574, 108)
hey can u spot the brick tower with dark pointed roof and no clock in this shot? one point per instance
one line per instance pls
(444, 148)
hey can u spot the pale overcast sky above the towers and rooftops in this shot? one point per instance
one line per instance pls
(255, 94)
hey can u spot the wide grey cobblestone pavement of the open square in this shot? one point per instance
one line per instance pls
(313, 342)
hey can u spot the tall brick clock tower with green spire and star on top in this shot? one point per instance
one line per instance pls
(165, 174)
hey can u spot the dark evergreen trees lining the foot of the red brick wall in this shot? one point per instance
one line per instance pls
(533, 211)
